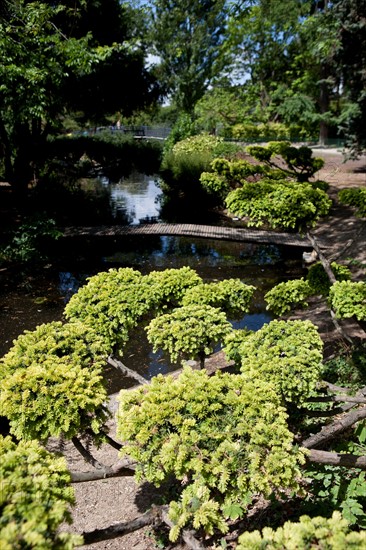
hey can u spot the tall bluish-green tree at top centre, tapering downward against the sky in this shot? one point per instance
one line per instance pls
(187, 35)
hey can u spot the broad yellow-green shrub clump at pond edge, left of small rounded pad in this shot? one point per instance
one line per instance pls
(114, 302)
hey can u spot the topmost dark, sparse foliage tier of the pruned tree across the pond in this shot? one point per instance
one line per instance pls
(299, 161)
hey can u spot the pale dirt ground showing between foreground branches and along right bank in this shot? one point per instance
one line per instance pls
(101, 503)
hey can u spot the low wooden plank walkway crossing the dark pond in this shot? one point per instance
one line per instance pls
(191, 230)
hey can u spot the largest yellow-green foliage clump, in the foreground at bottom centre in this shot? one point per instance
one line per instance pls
(224, 437)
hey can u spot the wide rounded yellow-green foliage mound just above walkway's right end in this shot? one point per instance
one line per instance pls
(279, 203)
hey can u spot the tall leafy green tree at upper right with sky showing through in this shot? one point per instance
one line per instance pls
(286, 56)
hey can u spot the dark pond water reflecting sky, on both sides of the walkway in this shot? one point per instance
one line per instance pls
(29, 298)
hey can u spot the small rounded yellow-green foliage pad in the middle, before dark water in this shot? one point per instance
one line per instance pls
(192, 330)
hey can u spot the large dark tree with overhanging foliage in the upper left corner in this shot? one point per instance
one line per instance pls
(57, 58)
